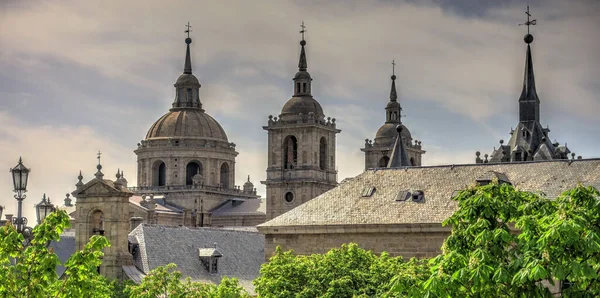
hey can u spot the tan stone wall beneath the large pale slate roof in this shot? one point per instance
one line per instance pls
(408, 241)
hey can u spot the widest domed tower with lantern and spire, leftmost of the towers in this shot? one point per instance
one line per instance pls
(187, 149)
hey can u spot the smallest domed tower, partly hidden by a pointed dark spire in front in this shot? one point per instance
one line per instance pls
(378, 153)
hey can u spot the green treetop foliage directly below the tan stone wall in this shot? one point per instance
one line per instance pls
(345, 272)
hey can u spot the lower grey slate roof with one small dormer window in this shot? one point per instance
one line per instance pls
(243, 252)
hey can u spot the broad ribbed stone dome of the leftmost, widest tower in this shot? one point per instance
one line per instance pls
(186, 123)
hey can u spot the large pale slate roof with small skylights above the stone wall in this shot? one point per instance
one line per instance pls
(344, 204)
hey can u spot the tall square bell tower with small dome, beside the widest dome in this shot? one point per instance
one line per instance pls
(301, 146)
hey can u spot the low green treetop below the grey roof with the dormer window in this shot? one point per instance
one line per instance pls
(166, 281)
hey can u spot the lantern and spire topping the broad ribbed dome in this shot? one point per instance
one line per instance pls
(187, 85)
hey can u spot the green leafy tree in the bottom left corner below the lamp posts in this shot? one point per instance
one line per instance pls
(31, 271)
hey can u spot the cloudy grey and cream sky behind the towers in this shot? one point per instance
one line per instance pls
(78, 77)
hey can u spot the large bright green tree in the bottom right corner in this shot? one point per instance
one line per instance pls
(509, 243)
